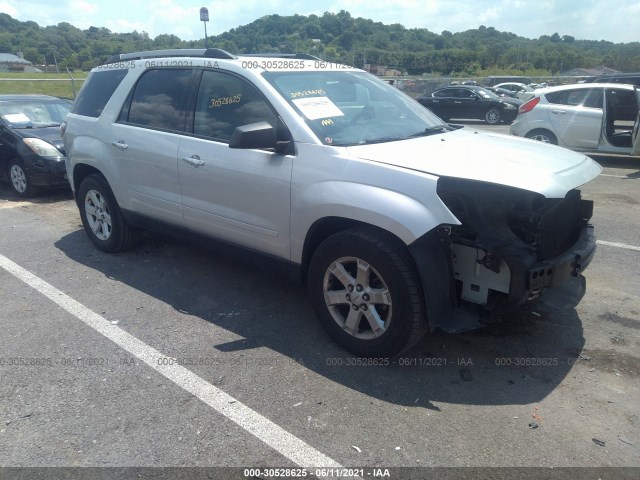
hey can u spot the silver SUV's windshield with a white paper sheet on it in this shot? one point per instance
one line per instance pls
(354, 108)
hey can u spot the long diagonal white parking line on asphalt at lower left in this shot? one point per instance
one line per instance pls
(264, 429)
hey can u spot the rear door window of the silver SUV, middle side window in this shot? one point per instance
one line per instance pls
(159, 99)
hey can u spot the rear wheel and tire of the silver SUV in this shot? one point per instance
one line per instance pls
(101, 216)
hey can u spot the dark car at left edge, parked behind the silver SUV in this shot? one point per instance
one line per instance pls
(31, 150)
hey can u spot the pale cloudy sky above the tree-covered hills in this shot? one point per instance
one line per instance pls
(612, 20)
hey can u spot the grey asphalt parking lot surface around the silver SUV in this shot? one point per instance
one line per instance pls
(172, 356)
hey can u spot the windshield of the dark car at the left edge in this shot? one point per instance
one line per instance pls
(34, 113)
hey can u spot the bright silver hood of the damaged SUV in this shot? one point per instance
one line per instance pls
(521, 163)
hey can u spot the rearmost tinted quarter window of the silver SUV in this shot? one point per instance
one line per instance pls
(96, 92)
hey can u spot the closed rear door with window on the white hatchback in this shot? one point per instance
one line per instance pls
(577, 116)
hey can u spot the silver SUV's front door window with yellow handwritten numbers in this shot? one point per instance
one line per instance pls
(225, 102)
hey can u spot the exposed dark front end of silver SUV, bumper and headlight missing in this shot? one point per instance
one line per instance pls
(514, 249)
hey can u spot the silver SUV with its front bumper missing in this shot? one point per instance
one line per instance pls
(396, 222)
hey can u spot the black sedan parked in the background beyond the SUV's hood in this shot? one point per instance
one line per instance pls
(468, 101)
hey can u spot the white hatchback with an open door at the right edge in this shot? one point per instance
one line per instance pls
(595, 117)
